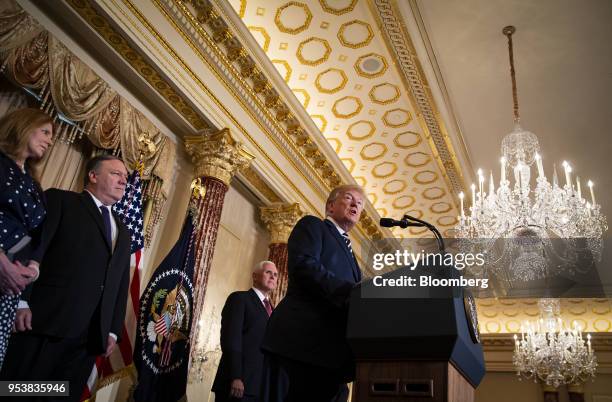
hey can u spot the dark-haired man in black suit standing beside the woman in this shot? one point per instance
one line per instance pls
(75, 310)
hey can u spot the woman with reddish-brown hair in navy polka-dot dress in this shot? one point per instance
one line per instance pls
(25, 136)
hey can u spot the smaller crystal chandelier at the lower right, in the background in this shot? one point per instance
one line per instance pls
(551, 351)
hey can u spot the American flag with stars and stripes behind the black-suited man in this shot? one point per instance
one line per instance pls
(130, 211)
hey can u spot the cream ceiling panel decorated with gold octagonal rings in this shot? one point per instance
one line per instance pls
(333, 56)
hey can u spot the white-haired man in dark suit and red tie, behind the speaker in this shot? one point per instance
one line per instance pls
(243, 323)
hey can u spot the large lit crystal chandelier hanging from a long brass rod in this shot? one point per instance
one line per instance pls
(529, 218)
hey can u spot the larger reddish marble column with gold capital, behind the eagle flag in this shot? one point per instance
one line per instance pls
(216, 158)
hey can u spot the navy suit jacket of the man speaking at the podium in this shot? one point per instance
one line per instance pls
(309, 324)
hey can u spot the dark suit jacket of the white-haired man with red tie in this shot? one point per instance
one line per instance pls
(243, 323)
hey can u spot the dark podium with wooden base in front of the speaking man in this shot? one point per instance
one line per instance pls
(413, 349)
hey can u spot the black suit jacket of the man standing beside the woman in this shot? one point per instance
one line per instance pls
(83, 284)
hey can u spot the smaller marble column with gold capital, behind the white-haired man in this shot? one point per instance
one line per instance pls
(280, 220)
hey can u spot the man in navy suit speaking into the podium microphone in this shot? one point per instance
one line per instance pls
(305, 339)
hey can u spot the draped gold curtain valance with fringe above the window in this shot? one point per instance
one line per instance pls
(35, 59)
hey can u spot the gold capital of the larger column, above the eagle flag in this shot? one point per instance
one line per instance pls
(217, 155)
